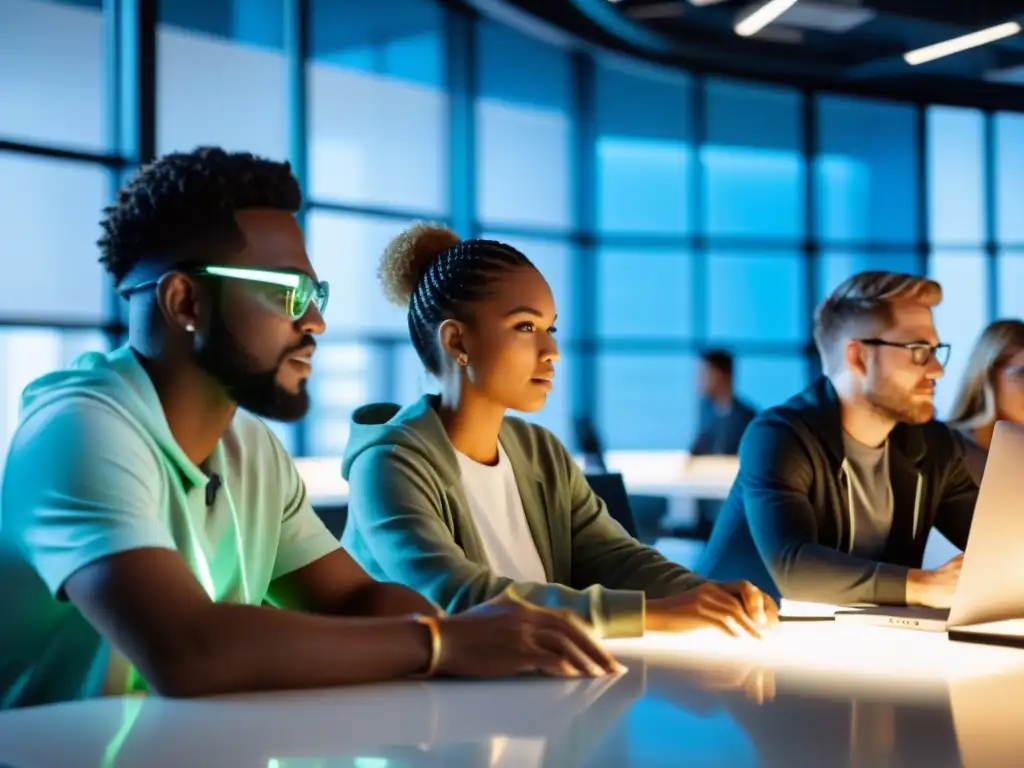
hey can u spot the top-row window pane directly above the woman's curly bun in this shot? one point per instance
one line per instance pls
(378, 119)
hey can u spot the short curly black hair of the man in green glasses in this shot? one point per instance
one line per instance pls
(184, 205)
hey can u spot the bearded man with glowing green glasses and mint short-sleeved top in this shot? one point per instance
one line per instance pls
(155, 535)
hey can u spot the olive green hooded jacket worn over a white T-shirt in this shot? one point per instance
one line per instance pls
(409, 522)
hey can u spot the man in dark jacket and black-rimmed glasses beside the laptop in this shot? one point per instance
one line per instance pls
(840, 487)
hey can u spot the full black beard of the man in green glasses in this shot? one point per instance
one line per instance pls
(252, 388)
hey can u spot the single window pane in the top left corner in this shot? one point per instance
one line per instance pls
(58, 96)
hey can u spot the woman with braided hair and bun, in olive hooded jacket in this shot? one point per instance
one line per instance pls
(453, 498)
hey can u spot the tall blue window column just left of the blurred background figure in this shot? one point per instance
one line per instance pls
(646, 270)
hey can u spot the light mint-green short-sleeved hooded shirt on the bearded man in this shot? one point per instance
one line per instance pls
(94, 472)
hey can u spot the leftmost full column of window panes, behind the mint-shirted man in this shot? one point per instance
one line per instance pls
(56, 300)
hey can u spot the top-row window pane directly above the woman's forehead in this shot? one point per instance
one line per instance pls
(524, 130)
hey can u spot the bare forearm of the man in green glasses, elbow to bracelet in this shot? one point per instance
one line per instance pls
(237, 649)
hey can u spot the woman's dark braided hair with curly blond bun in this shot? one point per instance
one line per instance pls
(432, 271)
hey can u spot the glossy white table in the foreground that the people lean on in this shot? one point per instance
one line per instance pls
(814, 694)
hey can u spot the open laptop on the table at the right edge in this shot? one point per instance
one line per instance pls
(992, 583)
